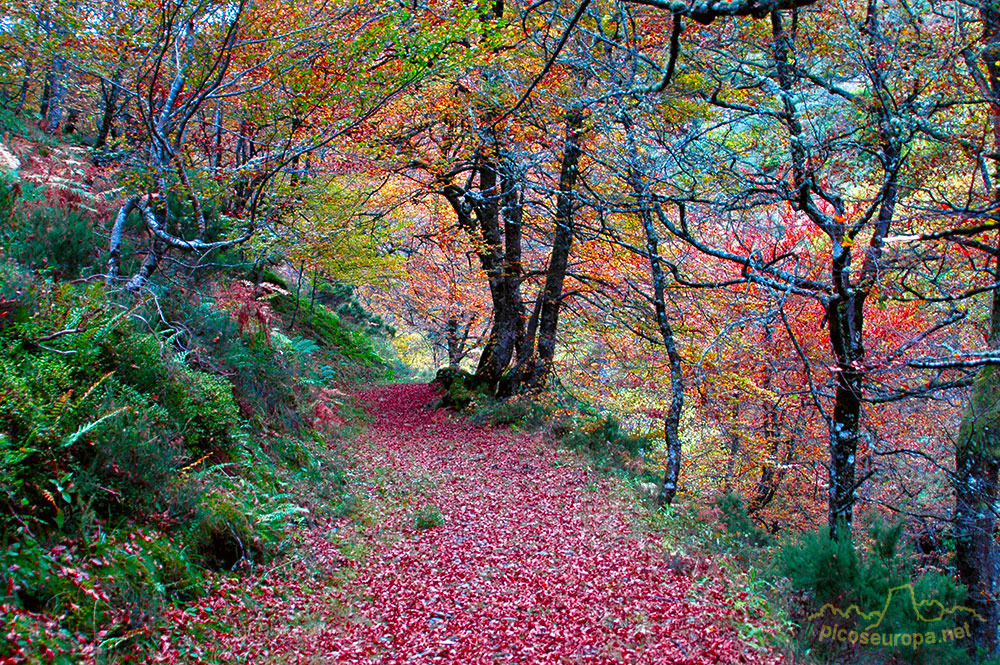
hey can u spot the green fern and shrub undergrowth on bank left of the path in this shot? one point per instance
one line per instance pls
(149, 444)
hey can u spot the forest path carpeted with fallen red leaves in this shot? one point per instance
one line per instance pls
(468, 544)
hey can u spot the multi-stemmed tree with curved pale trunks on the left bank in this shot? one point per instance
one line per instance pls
(291, 96)
